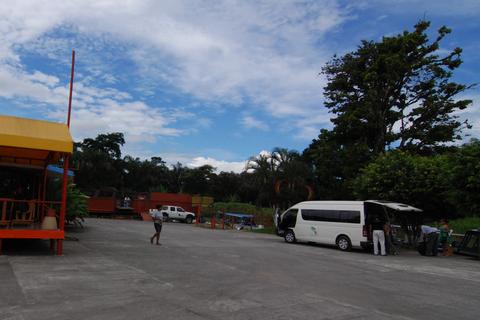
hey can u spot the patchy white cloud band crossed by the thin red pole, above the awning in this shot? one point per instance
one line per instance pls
(94, 110)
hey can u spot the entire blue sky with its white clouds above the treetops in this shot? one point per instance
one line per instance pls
(203, 81)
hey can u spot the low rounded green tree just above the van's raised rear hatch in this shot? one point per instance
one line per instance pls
(422, 181)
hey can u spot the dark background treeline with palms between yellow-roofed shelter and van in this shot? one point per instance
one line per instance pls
(279, 178)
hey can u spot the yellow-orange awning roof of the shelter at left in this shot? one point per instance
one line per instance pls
(32, 142)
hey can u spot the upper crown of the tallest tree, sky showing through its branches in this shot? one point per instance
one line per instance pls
(398, 90)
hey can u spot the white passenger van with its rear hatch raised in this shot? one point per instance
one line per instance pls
(340, 223)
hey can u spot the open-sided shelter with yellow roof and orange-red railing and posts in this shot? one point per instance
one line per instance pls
(27, 148)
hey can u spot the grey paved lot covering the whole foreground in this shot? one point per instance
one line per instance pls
(110, 270)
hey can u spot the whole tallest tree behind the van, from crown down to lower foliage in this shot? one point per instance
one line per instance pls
(394, 93)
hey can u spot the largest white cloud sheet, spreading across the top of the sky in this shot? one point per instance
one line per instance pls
(265, 52)
